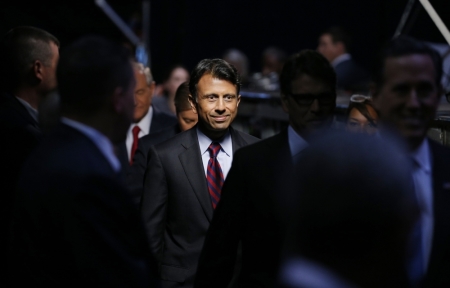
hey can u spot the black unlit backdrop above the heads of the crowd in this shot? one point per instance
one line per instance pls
(185, 31)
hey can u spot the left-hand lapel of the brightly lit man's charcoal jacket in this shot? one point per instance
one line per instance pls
(191, 161)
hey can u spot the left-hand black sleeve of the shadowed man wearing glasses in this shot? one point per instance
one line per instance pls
(219, 254)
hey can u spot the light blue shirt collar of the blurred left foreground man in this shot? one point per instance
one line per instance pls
(101, 141)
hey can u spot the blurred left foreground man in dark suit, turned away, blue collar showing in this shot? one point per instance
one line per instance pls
(74, 224)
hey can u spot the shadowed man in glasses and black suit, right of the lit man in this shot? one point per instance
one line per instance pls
(248, 212)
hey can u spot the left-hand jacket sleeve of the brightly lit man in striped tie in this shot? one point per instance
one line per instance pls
(154, 203)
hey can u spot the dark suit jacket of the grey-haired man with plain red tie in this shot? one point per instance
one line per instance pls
(135, 176)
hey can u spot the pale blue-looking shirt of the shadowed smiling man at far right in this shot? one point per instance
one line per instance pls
(423, 184)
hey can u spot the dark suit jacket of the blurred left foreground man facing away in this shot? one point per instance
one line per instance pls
(74, 224)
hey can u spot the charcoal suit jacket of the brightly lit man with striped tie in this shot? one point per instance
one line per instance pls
(176, 206)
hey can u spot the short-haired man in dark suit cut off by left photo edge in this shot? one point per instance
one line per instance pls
(29, 57)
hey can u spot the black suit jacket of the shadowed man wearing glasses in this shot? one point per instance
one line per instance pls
(249, 212)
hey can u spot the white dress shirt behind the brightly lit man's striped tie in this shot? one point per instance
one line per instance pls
(225, 155)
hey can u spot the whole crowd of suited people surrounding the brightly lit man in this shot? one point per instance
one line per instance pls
(104, 187)
